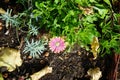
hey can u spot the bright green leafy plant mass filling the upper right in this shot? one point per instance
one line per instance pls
(73, 20)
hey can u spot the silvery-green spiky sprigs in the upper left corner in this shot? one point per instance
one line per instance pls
(17, 21)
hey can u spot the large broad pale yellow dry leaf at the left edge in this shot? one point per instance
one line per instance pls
(10, 58)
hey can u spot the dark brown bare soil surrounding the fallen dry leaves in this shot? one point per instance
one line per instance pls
(71, 66)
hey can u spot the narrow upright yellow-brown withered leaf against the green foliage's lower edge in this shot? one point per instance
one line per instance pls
(95, 46)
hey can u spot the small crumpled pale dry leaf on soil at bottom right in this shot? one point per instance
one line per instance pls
(94, 73)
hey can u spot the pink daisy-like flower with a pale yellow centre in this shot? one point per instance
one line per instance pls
(57, 44)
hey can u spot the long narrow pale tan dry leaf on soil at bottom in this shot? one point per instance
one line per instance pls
(41, 73)
